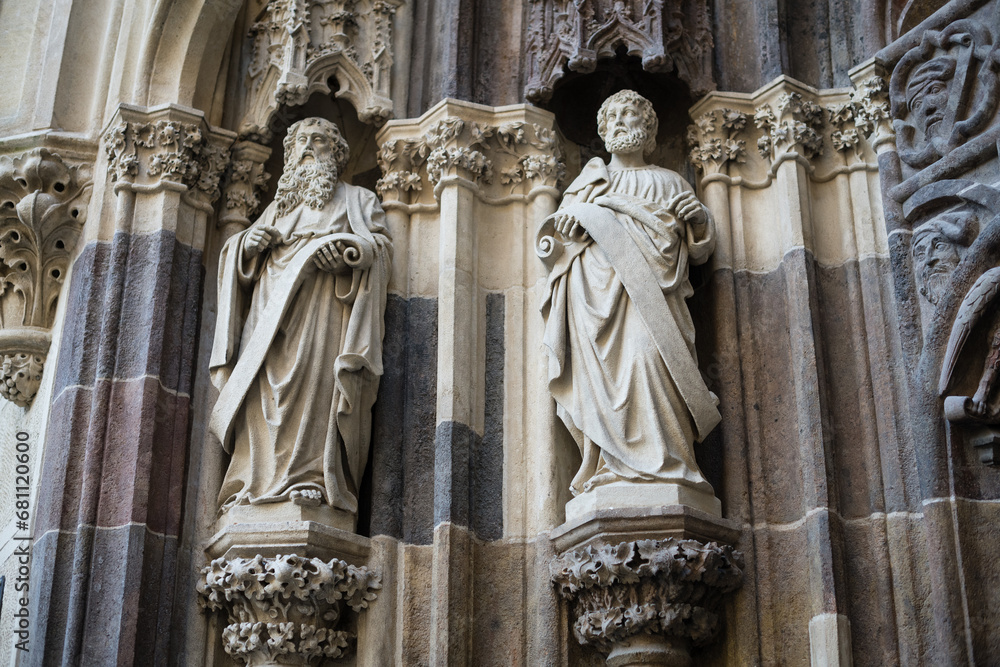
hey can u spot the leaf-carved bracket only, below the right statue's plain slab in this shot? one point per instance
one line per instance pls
(647, 601)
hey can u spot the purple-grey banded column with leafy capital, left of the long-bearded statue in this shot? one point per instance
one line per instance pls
(109, 514)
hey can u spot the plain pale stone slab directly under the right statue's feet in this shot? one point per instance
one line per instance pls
(641, 495)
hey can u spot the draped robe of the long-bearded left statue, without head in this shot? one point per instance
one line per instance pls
(298, 355)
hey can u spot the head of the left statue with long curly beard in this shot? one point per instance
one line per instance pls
(315, 156)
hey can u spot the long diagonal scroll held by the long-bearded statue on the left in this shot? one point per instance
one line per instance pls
(254, 352)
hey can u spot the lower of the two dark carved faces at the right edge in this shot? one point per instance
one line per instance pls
(937, 249)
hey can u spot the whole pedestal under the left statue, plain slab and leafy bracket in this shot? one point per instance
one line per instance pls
(271, 583)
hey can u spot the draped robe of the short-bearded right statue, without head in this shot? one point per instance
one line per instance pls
(607, 372)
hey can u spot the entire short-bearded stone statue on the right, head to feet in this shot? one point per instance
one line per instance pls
(618, 333)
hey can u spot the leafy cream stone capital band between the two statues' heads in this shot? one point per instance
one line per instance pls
(515, 155)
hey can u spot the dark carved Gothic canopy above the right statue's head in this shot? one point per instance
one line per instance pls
(574, 34)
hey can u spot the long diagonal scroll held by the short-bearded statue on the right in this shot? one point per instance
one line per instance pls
(642, 287)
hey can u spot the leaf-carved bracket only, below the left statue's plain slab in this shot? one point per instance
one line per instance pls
(288, 610)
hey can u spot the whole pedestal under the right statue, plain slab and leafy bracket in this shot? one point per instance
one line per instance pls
(673, 565)
